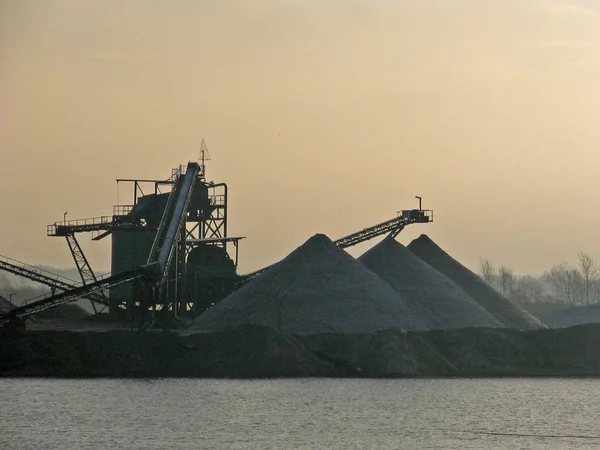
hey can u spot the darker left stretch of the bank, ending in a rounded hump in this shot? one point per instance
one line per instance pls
(248, 351)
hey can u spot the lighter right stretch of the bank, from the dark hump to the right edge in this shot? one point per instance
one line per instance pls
(468, 352)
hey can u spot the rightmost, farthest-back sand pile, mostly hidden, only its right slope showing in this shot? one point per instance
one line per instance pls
(502, 308)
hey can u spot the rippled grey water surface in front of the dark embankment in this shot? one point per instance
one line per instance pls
(299, 414)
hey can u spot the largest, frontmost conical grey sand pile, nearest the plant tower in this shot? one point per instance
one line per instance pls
(317, 288)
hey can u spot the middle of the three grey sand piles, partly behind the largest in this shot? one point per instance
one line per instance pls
(437, 300)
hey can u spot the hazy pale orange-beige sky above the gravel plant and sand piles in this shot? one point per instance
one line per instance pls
(322, 116)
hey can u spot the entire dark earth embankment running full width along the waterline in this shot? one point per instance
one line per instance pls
(253, 351)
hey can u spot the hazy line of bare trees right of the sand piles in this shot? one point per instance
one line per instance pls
(564, 283)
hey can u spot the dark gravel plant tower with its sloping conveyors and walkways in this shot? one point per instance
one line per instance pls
(171, 256)
